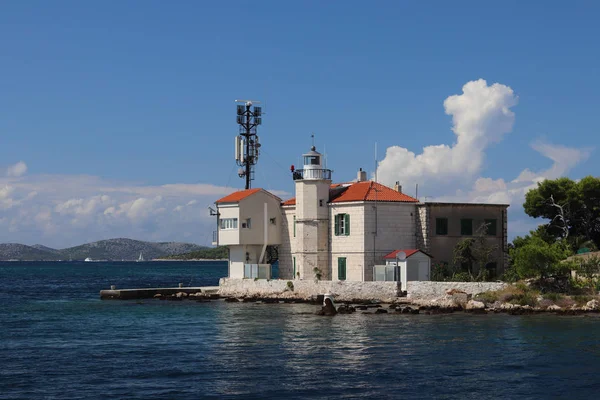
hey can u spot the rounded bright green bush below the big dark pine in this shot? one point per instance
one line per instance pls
(537, 258)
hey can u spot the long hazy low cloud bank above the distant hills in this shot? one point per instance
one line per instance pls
(65, 210)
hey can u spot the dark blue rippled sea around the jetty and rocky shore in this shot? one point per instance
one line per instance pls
(58, 340)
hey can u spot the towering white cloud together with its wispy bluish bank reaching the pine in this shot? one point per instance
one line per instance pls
(481, 116)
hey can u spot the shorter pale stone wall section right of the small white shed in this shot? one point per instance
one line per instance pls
(425, 290)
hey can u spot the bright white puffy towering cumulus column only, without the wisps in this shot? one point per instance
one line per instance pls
(481, 116)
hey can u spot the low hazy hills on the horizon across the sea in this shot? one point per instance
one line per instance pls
(111, 249)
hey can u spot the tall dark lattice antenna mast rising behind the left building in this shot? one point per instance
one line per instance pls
(246, 143)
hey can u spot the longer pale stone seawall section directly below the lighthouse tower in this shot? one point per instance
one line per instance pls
(305, 289)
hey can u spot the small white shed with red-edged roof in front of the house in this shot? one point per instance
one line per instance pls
(410, 265)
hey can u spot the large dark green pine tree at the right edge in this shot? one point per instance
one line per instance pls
(571, 208)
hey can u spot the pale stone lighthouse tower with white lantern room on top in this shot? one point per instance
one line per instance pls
(312, 217)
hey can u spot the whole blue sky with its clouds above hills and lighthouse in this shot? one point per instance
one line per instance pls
(117, 118)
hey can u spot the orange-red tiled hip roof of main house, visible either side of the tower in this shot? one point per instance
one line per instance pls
(361, 191)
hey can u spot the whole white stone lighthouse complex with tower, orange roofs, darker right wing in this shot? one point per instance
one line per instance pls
(342, 231)
